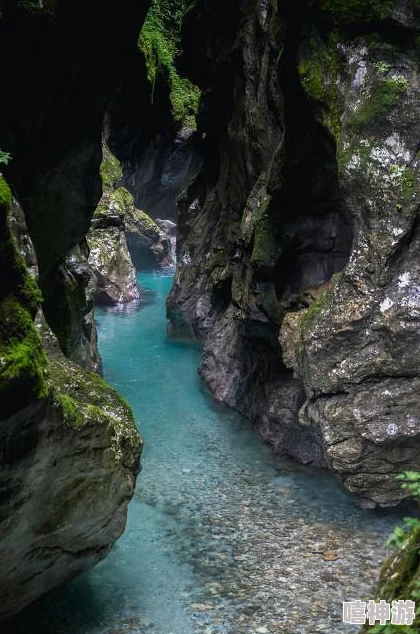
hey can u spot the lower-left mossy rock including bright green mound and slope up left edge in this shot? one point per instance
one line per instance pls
(68, 444)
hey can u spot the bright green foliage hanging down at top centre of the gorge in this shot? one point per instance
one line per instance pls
(160, 43)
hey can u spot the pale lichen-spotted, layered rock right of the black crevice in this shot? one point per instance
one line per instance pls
(358, 340)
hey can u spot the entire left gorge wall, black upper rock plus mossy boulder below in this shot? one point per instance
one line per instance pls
(69, 446)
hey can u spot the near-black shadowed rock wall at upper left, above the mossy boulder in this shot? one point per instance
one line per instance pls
(52, 126)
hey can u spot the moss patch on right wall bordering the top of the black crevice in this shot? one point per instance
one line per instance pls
(319, 70)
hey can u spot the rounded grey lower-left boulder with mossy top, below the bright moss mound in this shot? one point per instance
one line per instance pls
(81, 447)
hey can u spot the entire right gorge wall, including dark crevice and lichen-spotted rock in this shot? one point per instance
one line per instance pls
(304, 219)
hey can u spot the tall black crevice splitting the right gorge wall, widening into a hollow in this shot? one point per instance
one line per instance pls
(309, 217)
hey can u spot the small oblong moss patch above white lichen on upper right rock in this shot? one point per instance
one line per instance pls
(384, 97)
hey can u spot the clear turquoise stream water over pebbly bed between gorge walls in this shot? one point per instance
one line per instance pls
(221, 537)
